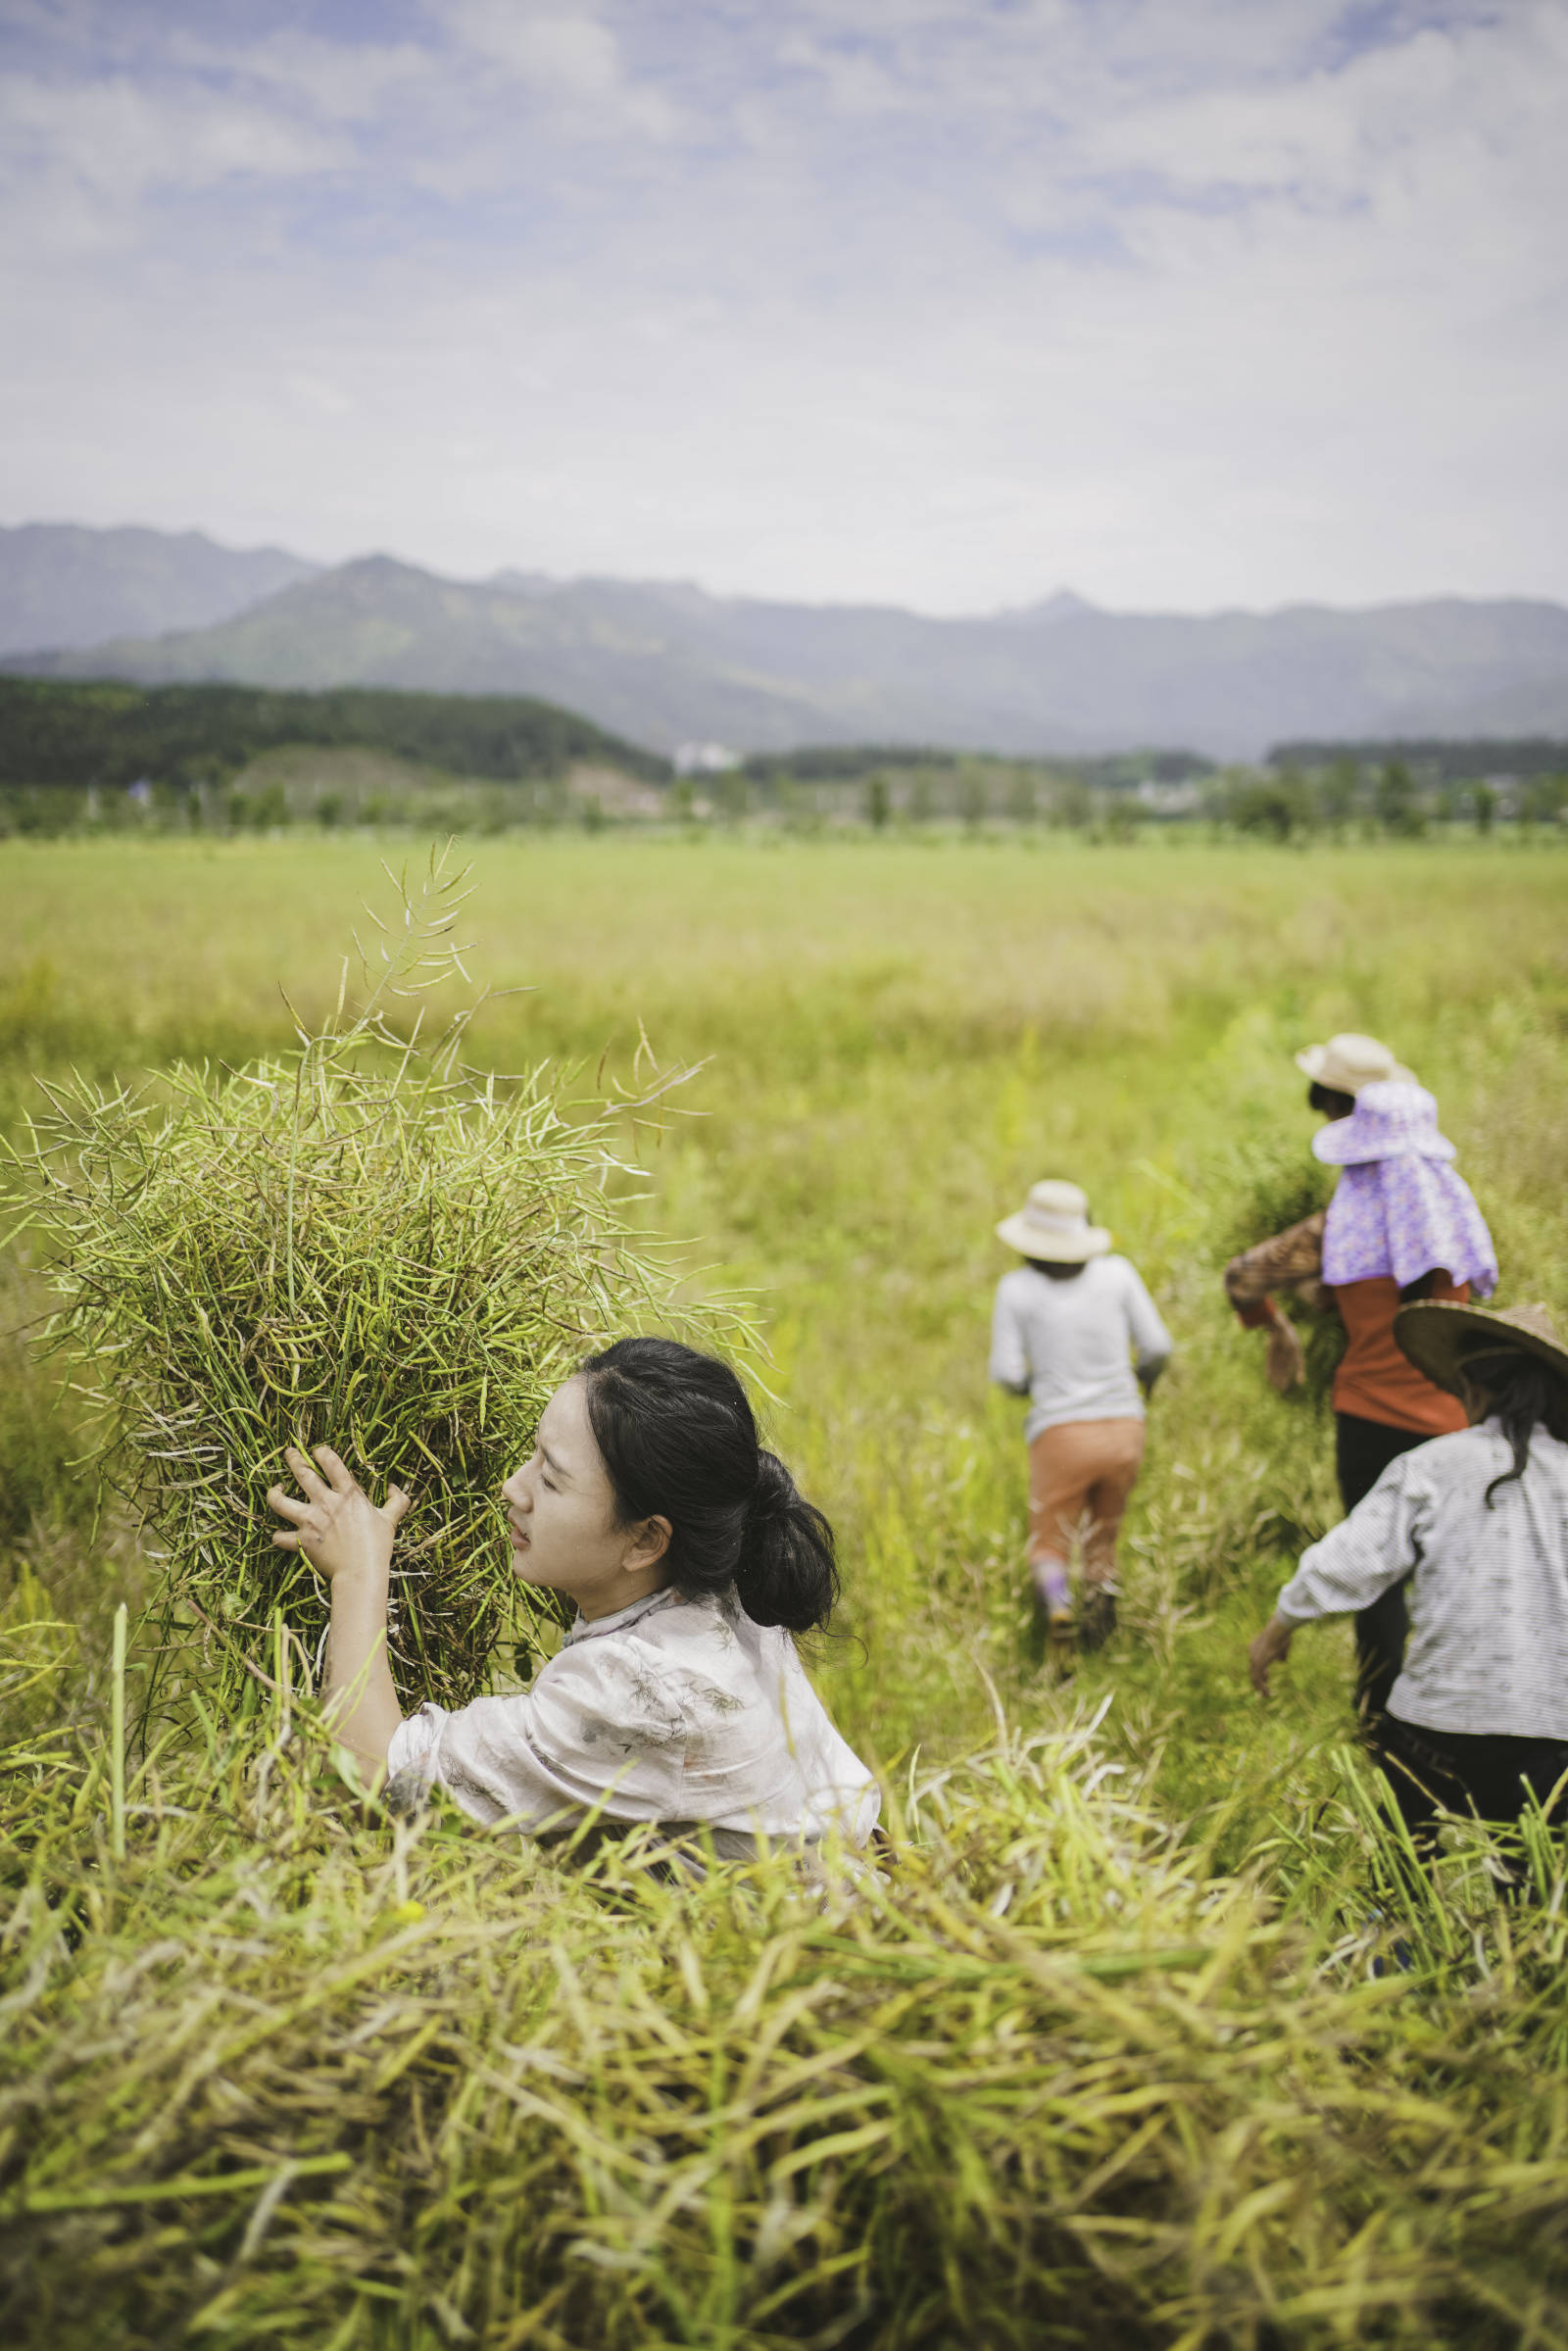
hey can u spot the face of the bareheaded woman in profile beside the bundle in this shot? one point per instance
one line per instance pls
(563, 1518)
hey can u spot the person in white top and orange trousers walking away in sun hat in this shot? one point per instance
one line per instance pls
(1078, 1334)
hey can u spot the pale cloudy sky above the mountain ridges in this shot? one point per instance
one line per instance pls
(1184, 304)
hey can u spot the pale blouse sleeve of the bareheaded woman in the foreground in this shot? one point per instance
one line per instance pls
(596, 1732)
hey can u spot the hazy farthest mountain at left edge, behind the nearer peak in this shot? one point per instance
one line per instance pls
(65, 587)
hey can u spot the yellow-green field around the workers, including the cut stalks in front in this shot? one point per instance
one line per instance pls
(1104, 2056)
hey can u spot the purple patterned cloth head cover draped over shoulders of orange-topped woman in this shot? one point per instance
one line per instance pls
(1400, 1207)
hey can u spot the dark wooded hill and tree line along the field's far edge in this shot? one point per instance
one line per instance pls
(102, 756)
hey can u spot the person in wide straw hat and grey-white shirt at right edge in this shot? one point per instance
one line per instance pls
(1480, 1715)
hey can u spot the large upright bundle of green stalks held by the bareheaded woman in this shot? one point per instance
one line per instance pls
(363, 1243)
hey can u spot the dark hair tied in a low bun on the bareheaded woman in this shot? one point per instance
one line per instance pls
(681, 1442)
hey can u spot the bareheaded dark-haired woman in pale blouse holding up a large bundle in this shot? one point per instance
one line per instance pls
(678, 1696)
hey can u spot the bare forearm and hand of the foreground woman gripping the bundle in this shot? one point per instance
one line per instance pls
(351, 1543)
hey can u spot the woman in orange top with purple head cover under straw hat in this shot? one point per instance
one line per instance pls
(1400, 1226)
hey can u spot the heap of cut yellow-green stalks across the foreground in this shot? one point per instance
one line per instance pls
(288, 2072)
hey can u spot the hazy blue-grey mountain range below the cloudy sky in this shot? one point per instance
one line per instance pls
(666, 664)
